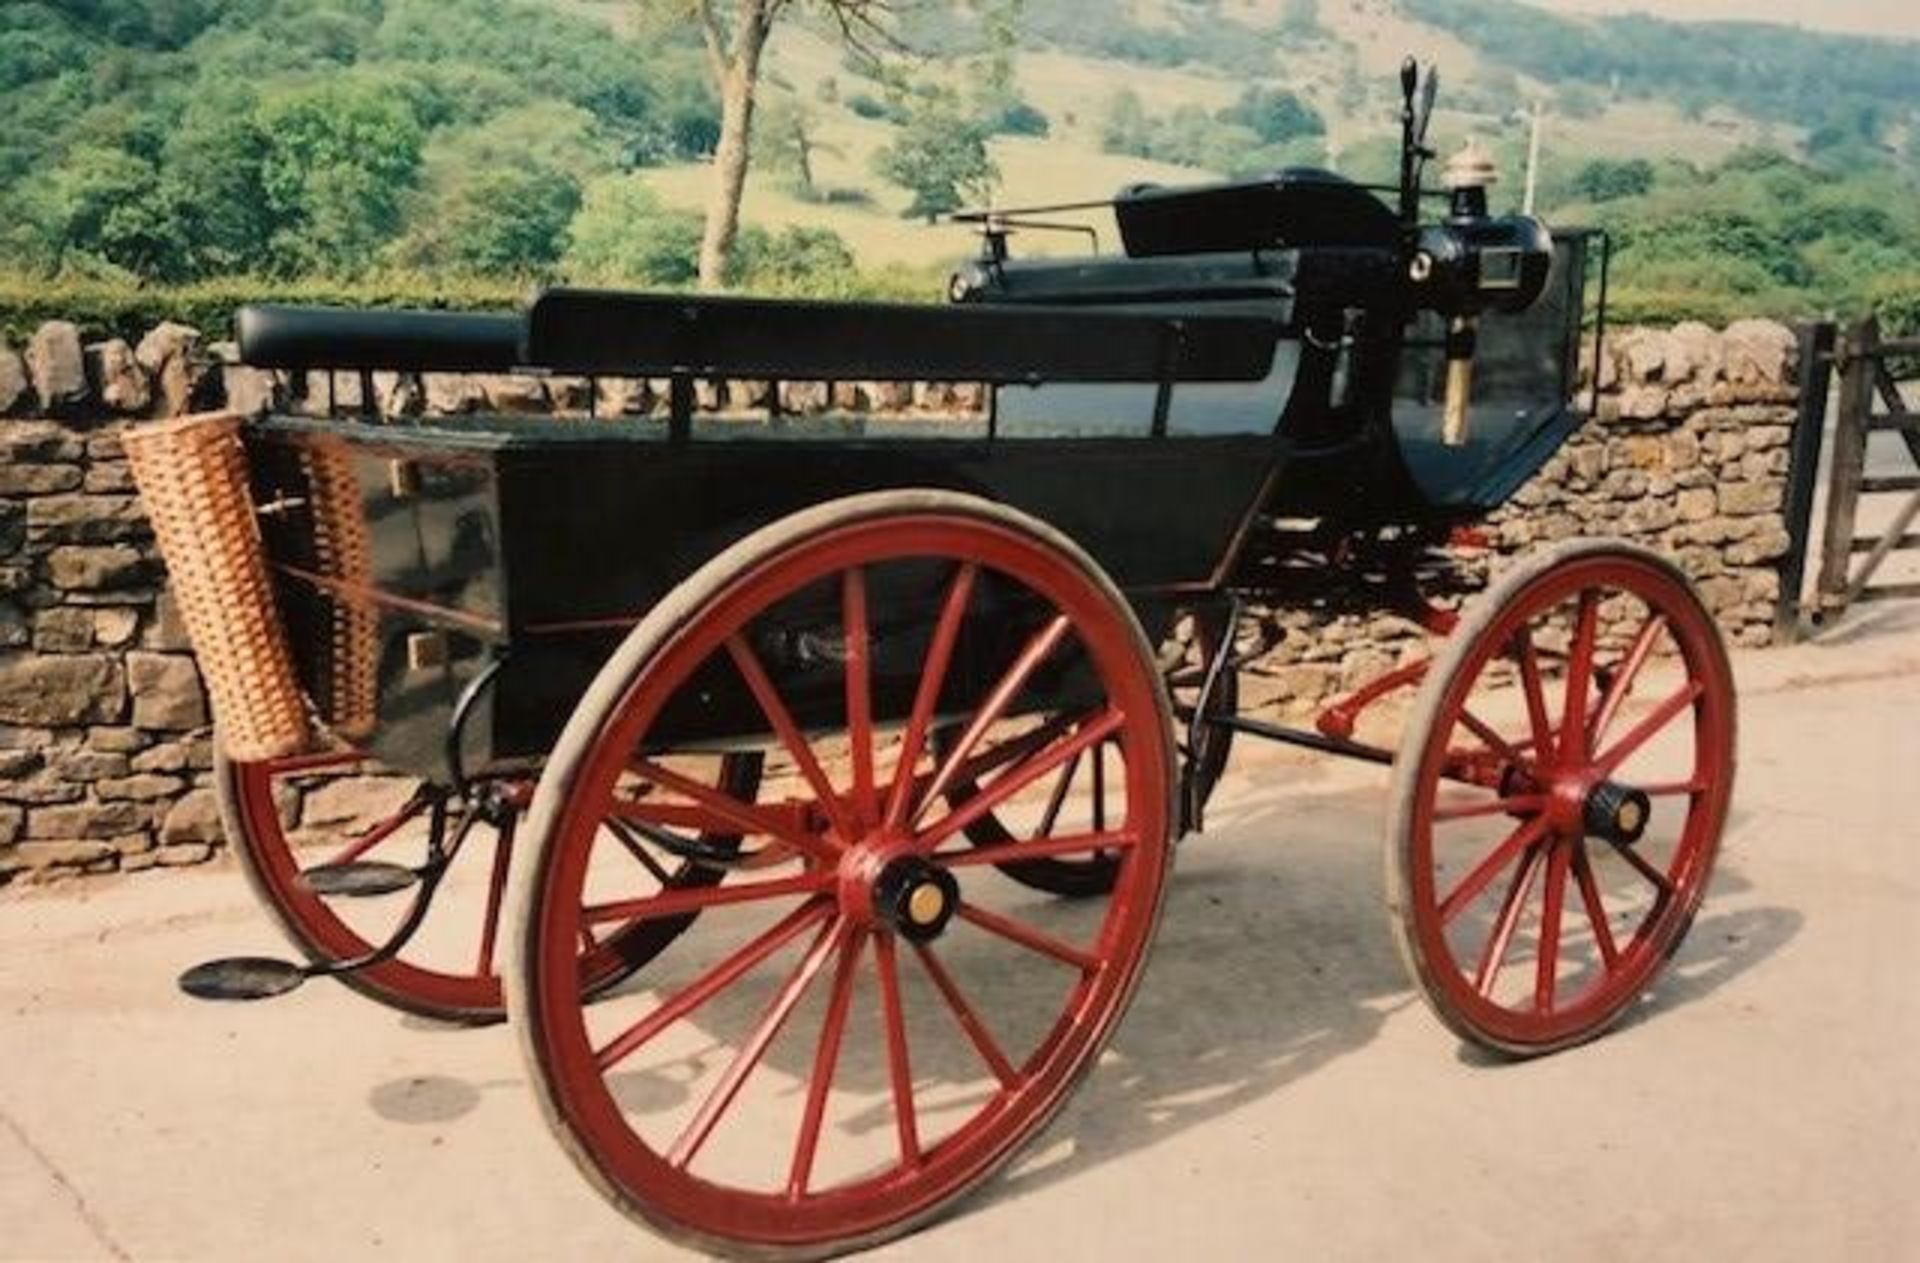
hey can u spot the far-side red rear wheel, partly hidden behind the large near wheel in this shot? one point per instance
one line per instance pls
(293, 817)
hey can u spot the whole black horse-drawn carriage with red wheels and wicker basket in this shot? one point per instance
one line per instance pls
(807, 790)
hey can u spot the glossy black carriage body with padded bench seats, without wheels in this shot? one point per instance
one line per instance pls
(1149, 408)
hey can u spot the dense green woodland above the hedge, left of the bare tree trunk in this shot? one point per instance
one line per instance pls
(189, 139)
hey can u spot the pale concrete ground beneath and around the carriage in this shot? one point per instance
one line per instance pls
(1278, 1089)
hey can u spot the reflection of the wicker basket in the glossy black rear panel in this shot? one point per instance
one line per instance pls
(343, 552)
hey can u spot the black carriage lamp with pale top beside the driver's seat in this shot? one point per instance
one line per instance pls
(1474, 264)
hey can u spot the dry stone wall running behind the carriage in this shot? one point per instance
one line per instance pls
(105, 742)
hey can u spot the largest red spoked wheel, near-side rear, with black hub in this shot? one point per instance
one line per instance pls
(852, 1039)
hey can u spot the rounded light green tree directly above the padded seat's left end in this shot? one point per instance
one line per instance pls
(341, 158)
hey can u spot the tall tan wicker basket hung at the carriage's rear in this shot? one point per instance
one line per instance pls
(195, 481)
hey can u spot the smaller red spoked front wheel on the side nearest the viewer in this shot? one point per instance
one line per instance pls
(1560, 796)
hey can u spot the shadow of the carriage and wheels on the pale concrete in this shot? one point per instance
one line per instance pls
(1274, 961)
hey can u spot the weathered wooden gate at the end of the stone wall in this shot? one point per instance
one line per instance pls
(1871, 402)
